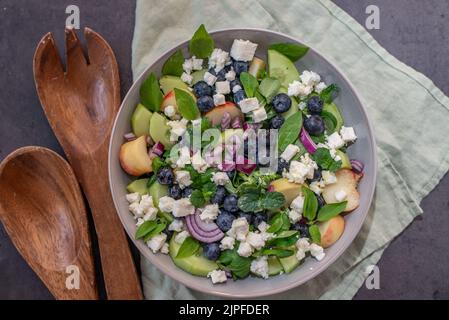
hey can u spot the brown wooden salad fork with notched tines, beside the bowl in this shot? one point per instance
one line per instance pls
(80, 104)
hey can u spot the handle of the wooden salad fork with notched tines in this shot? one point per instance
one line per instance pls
(120, 276)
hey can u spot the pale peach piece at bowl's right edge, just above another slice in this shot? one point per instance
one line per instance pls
(347, 181)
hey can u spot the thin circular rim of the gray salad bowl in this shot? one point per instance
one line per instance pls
(321, 267)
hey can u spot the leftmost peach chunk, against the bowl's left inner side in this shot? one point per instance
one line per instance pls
(134, 157)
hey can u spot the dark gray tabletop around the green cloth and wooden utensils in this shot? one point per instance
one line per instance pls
(414, 266)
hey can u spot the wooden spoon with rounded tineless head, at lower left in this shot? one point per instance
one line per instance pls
(42, 209)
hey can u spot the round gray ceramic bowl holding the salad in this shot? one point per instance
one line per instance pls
(364, 150)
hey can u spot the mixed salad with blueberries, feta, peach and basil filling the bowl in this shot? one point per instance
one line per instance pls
(240, 165)
